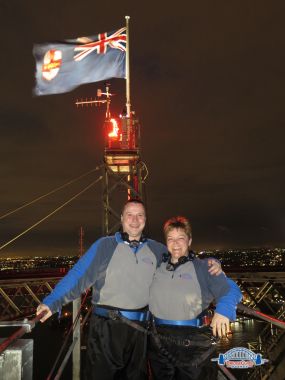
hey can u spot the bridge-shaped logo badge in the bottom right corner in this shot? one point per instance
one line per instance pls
(240, 357)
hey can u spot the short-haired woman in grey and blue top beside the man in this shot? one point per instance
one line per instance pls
(180, 295)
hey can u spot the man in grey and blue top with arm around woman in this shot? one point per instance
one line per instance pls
(120, 270)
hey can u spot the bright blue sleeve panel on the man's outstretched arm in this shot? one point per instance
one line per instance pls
(76, 281)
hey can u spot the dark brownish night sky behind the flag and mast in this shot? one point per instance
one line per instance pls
(207, 83)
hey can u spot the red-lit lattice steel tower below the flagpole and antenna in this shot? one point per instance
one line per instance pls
(123, 168)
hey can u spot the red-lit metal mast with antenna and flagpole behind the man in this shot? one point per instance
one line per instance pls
(123, 170)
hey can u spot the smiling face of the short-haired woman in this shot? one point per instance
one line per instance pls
(178, 244)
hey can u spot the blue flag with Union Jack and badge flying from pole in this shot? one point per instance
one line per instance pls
(63, 66)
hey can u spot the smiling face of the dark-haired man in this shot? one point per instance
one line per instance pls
(133, 220)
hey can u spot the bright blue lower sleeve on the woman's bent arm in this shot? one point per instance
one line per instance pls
(227, 304)
